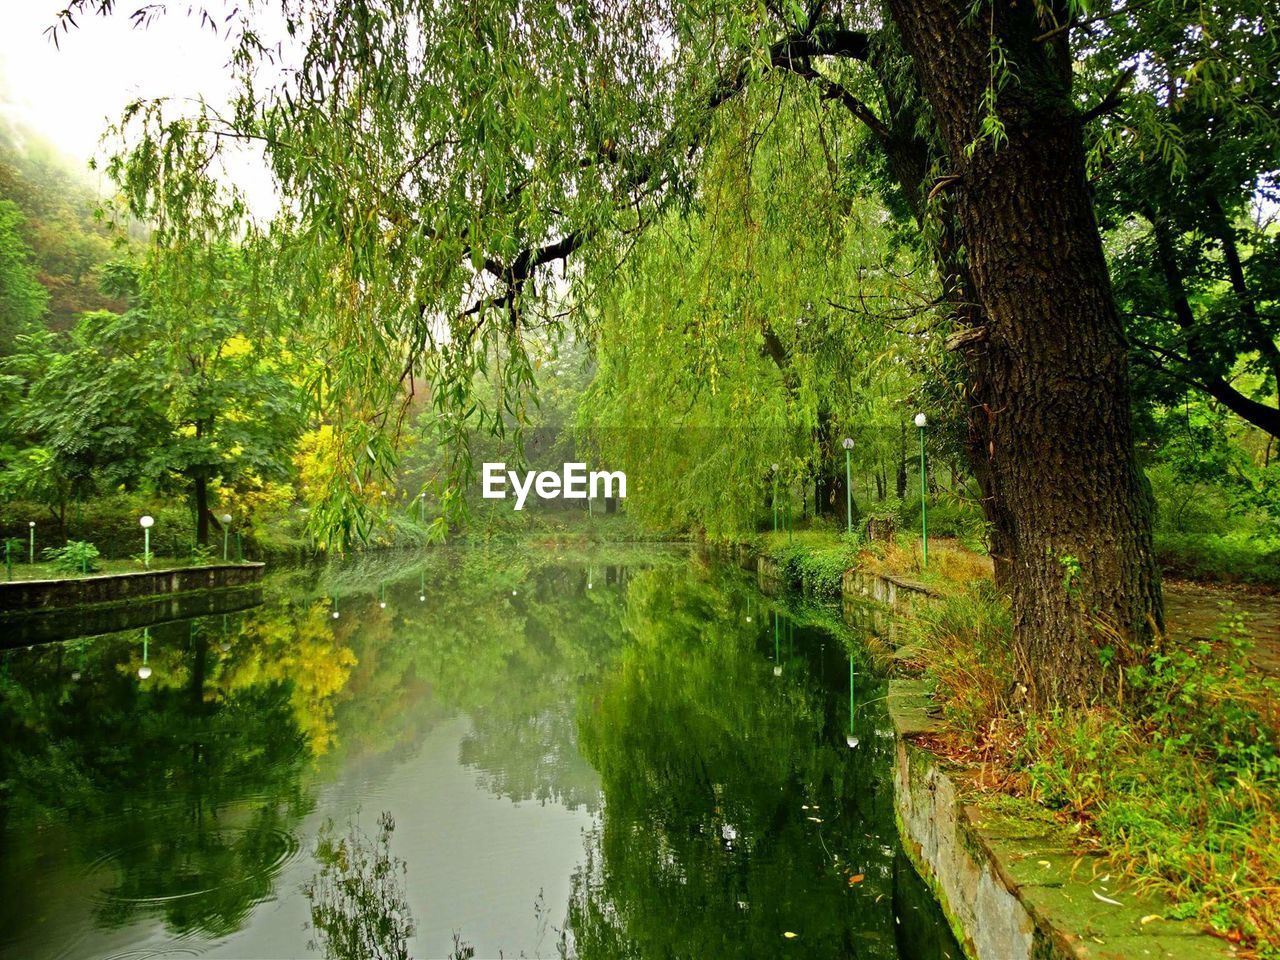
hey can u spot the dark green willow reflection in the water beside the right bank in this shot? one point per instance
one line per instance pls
(738, 824)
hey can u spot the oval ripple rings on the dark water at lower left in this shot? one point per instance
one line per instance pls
(164, 870)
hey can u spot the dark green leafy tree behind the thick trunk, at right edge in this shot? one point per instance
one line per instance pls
(1186, 150)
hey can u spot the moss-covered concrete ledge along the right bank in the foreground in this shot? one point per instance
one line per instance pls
(1011, 884)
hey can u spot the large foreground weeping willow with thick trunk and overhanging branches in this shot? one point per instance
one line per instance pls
(441, 163)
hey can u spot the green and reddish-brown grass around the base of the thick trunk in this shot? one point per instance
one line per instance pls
(1180, 783)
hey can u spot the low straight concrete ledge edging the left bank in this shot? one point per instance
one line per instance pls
(28, 596)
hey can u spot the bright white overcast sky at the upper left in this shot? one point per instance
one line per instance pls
(72, 94)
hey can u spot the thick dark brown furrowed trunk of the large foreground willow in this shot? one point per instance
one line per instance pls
(1084, 573)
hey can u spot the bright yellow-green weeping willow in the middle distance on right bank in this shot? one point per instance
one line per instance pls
(760, 327)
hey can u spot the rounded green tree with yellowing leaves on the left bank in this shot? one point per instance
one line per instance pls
(186, 390)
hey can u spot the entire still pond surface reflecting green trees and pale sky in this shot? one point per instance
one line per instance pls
(527, 755)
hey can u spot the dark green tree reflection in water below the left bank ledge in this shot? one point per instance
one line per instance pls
(143, 772)
